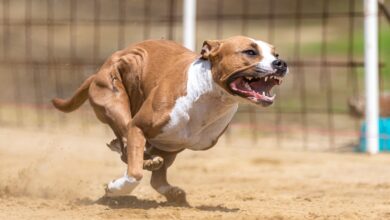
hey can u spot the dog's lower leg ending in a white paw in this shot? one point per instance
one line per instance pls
(135, 151)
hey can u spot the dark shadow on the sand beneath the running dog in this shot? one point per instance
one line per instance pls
(124, 202)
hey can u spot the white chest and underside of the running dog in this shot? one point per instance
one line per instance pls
(199, 117)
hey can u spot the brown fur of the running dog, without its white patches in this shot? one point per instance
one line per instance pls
(136, 88)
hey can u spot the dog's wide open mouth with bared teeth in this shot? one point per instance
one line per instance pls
(255, 88)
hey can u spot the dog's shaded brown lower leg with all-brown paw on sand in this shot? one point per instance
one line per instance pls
(159, 179)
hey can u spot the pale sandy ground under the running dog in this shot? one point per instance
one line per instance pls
(61, 176)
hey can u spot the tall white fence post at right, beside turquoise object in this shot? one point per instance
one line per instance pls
(371, 74)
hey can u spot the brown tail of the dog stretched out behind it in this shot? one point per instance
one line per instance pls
(76, 100)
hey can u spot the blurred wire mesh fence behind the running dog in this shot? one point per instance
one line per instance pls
(48, 47)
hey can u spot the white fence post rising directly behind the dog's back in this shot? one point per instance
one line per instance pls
(189, 23)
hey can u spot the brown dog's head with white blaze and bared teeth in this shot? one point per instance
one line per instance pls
(245, 67)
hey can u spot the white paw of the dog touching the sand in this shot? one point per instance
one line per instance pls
(121, 186)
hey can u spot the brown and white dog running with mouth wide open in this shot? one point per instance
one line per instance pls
(159, 98)
